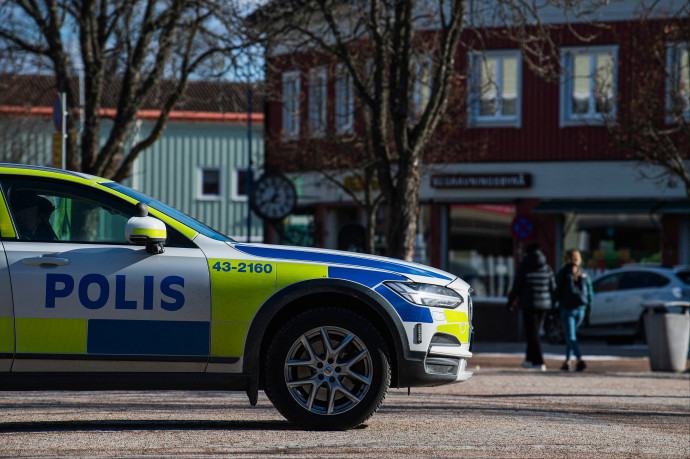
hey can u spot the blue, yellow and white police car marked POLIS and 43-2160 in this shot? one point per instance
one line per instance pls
(106, 288)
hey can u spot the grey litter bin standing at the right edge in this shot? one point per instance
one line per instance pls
(667, 329)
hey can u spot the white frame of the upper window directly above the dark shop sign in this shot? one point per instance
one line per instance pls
(476, 61)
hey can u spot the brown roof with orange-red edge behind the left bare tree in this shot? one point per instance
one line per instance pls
(26, 92)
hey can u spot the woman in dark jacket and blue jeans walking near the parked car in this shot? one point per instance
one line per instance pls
(574, 296)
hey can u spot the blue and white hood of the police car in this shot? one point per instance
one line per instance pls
(413, 271)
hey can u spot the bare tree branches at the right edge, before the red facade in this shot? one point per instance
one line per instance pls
(652, 124)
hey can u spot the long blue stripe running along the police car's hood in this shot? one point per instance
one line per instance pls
(319, 257)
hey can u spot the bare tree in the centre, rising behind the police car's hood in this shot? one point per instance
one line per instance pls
(400, 55)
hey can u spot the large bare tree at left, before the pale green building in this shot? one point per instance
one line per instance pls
(134, 50)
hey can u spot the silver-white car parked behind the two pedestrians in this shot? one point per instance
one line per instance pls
(619, 295)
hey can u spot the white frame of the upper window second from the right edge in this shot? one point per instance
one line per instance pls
(567, 117)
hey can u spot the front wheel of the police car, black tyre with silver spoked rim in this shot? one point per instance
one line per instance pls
(334, 386)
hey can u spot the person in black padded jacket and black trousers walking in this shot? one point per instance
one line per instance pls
(533, 287)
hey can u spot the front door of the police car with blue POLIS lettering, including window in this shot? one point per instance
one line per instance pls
(86, 300)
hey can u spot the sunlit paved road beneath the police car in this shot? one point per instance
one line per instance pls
(618, 409)
